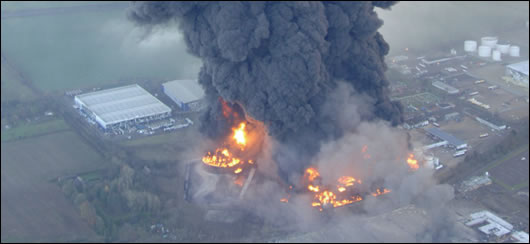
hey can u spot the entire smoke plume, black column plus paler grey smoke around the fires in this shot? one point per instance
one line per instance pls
(313, 73)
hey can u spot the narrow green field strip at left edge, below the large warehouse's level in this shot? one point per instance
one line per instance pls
(34, 129)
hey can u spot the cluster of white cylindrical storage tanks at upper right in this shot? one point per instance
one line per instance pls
(489, 47)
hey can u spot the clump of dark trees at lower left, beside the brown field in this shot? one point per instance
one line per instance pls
(120, 195)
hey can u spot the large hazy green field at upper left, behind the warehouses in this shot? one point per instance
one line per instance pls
(91, 49)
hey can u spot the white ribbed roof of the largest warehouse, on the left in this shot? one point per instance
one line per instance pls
(122, 104)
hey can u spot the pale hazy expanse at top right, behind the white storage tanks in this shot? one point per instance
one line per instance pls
(424, 24)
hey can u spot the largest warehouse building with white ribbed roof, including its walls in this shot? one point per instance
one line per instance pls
(117, 107)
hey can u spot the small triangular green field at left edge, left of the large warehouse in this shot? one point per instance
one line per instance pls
(12, 88)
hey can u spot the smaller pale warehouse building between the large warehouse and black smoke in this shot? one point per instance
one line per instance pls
(185, 93)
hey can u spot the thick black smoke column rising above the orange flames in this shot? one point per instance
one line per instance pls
(280, 61)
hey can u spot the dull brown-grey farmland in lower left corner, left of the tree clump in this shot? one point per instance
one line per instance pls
(33, 208)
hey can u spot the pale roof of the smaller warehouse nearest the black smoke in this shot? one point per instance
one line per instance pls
(184, 90)
